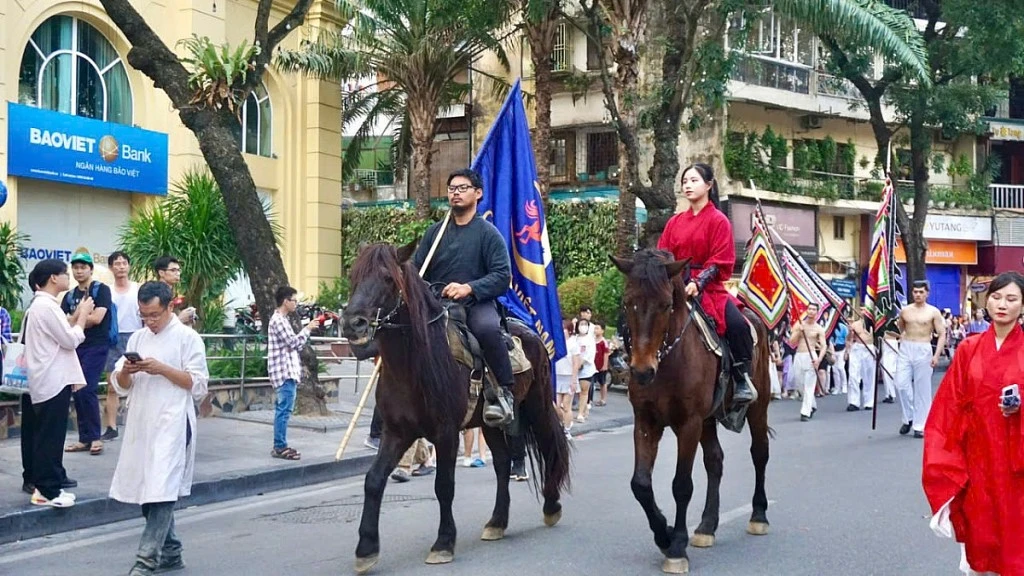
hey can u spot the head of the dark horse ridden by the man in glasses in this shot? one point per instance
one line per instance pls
(379, 286)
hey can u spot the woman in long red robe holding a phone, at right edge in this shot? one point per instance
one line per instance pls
(973, 470)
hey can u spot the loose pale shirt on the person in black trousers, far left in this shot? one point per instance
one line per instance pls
(50, 349)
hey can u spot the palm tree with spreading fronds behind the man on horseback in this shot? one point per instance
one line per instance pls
(417, 55)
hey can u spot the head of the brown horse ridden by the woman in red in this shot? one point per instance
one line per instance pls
(650, 301)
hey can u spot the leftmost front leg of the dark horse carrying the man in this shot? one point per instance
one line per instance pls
(392, 450)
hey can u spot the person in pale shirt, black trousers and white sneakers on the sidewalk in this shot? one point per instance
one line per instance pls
(54, 373)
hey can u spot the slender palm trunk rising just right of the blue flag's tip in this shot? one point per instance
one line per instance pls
(541, 36)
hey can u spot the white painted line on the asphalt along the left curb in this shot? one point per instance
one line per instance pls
(185, 517)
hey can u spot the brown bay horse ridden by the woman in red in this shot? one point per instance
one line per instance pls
(672, 385)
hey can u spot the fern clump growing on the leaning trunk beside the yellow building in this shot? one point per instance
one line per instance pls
(217, 72)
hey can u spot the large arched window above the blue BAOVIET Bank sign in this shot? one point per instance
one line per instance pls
(70, 67)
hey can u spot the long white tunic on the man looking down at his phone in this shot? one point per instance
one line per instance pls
(156, 465)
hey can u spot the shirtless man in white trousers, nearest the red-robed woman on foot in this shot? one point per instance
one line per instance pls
(918, 321)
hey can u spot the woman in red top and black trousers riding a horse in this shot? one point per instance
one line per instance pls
(704, 234)
